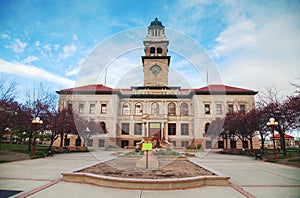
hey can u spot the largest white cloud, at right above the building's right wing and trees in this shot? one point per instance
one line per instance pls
(261, 53)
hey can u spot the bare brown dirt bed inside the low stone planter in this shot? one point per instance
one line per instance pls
(126, 168)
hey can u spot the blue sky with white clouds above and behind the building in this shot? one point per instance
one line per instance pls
(253, 44)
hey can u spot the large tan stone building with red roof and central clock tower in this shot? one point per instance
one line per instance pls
(175, 116)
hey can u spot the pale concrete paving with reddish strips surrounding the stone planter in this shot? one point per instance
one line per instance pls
(249, 178)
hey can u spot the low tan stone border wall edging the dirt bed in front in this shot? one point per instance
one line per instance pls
(149, 184)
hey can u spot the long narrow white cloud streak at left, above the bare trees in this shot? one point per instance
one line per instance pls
(33, 72)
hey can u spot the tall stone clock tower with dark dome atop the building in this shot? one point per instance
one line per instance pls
(156, 61)
